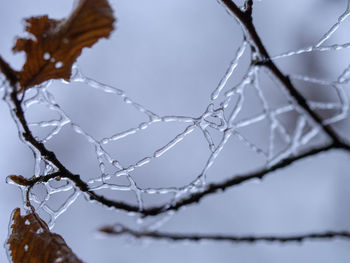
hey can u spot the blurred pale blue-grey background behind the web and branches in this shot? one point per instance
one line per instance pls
(169, 56)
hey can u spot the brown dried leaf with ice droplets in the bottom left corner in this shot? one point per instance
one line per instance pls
(30, 241)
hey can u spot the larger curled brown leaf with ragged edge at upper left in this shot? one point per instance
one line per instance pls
(56, 44)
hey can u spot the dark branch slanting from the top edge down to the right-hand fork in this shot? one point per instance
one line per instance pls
(244, 17)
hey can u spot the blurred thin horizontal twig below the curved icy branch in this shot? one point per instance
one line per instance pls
(122, 230)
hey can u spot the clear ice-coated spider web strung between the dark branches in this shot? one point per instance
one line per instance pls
(222, 110)
